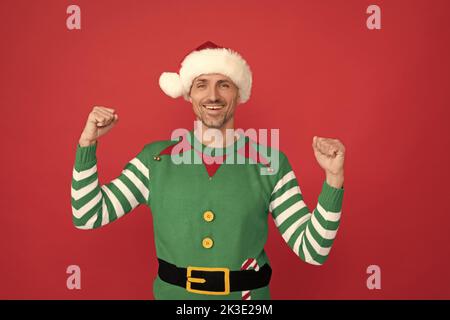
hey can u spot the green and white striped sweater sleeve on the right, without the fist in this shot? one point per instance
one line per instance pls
(310, 236)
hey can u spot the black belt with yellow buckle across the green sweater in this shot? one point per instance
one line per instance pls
(215, 281)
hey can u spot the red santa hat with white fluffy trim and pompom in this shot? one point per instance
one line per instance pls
(208, 58)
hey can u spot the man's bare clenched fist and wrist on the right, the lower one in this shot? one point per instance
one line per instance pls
(330, 155)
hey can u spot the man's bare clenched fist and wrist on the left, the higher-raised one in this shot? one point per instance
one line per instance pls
(99, 122)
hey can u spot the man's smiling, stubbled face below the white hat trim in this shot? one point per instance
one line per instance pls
(214, 98)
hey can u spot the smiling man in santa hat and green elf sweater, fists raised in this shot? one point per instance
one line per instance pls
(210, 213)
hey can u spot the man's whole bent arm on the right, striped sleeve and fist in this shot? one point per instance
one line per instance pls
(310, 234)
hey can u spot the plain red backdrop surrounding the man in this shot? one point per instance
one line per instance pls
(318, 70)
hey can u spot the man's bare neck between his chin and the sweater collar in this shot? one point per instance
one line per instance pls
(215, 138)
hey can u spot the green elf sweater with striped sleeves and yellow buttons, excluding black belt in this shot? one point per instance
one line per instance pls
(207, 215)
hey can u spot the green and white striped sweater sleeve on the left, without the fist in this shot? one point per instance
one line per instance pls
(95, 205)
